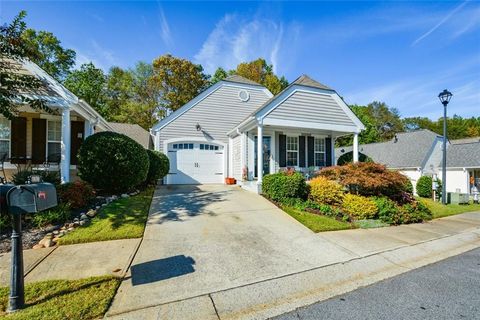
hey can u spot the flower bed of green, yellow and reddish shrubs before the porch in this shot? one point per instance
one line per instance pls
(351, 193)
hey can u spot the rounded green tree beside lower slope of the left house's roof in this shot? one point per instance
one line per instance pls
(89, 84)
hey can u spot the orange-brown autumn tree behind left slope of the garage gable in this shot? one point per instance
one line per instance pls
(178, 79)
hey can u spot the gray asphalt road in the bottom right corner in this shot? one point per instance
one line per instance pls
(449, 289)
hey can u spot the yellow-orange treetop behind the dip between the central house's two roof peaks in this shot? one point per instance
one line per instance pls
(261, 72)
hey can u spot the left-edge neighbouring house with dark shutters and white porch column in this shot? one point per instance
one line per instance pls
(35, 137)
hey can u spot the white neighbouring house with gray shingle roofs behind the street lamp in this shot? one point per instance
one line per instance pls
(419, 153)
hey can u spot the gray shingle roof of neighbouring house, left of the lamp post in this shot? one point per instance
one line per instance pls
(408, 150)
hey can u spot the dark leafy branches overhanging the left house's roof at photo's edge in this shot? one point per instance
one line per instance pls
(13, 82)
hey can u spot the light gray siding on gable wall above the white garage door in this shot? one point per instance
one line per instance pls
(217, 114)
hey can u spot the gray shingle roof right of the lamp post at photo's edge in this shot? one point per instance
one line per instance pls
(463, 155)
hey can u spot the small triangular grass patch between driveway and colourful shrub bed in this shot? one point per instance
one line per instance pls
(315, 222)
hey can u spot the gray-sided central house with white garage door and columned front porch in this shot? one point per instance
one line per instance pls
(218, 133)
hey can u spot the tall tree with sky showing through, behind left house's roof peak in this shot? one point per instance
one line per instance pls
(47, 52)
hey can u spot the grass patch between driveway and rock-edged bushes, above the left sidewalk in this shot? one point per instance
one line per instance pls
(121, 219)
